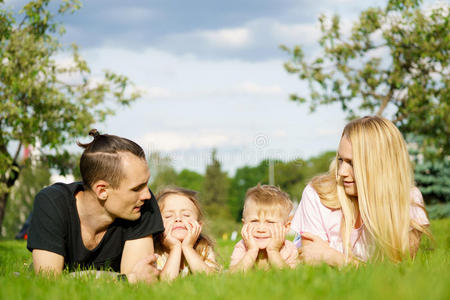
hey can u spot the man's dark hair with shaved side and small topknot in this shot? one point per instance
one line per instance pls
(101, 159)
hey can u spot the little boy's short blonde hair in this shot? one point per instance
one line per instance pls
(268, 199)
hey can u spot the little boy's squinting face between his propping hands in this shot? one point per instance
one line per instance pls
(261, 224)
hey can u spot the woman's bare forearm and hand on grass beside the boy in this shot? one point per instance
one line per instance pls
(315, 251)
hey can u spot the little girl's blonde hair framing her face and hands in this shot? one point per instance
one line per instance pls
(204, 242)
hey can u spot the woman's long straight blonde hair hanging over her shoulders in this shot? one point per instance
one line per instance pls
(384, 180)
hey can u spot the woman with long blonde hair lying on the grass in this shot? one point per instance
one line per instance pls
(366, 206)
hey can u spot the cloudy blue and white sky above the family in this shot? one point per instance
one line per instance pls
(212, 75)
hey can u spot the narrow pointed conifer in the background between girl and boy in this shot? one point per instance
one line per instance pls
(215, 189)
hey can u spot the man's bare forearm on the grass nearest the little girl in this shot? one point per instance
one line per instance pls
(137, 260)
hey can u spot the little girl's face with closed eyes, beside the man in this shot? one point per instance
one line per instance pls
(179, 211)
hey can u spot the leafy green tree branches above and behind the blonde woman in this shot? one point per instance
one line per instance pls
(395, 61)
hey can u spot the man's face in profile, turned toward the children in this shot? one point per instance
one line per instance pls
(125, 201)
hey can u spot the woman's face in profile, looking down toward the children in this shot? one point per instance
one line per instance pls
(345, 167)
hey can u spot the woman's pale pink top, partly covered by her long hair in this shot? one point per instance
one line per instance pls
(313, 217)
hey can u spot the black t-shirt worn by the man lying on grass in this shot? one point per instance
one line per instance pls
(55, 227)
